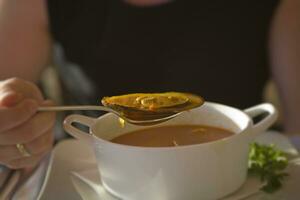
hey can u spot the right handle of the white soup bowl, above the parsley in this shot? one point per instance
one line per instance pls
(267, 121)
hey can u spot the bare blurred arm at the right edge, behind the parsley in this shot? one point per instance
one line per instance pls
(285, 61)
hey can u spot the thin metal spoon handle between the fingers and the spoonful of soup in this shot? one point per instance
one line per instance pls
(65, 108)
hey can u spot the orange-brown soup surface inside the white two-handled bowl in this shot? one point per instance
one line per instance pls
(172, 135)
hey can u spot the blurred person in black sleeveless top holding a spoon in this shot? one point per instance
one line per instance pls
(222, 50)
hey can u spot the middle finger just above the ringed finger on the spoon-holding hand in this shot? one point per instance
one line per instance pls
(32, 129)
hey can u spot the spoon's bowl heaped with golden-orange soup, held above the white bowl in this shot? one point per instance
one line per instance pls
(147, 106)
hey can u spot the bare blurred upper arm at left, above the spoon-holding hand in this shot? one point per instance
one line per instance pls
(25, 44)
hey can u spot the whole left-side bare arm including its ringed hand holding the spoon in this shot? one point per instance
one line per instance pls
(24, 51)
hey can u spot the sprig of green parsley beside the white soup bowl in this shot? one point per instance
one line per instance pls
(268, 163)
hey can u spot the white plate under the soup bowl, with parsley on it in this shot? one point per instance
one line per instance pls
(74, 161)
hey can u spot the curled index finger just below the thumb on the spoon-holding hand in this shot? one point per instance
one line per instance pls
(14, 116)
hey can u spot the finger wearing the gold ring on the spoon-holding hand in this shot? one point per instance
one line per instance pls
(38, 146)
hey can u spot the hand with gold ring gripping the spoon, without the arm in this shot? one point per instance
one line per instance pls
(20, 123)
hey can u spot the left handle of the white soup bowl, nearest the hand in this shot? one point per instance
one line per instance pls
(75, 132)
